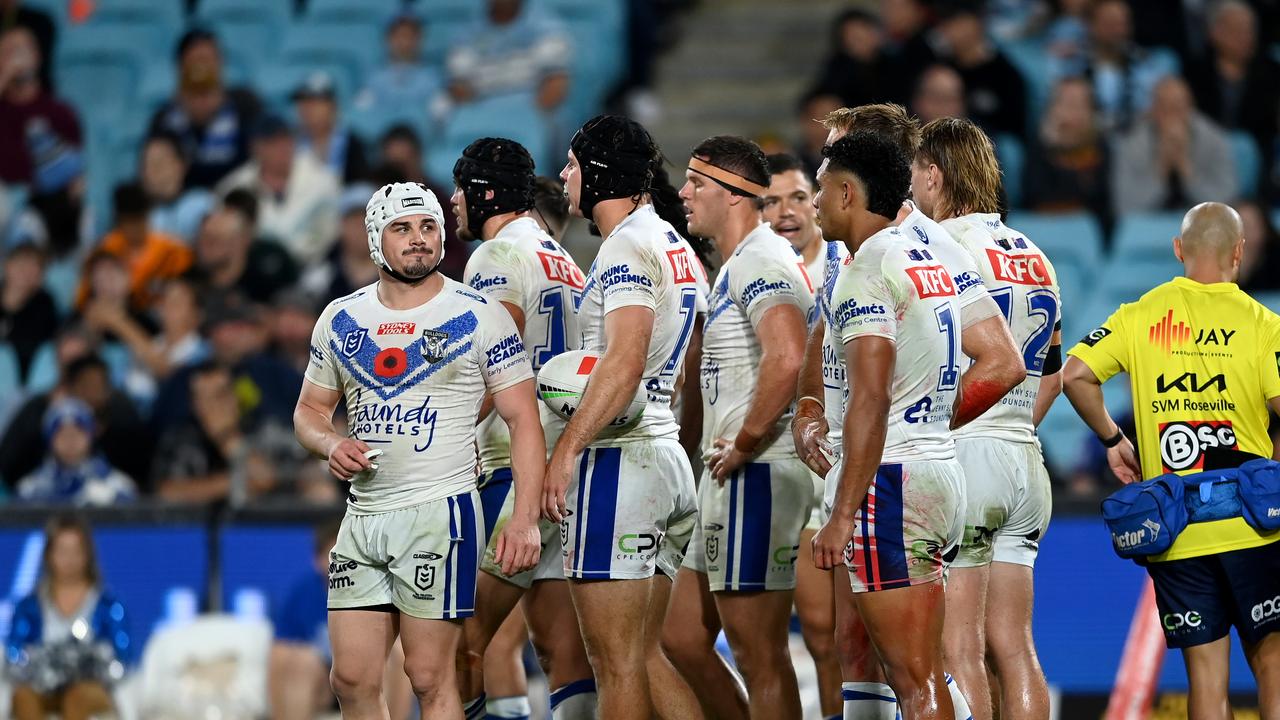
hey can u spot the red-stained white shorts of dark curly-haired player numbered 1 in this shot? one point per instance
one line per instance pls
(908, 528)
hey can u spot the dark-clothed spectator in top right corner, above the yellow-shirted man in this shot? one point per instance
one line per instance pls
(1237, 86)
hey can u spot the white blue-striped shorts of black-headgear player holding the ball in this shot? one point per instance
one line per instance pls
(632, 512)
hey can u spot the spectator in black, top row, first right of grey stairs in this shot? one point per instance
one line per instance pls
(857, 70)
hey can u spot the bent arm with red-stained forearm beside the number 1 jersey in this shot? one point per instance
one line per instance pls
(998, 368)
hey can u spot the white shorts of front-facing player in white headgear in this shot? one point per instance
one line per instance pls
(422, 559)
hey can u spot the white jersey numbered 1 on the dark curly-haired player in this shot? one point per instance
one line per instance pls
(899, 290)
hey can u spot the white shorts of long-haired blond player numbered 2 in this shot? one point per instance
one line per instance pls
(1009, 502)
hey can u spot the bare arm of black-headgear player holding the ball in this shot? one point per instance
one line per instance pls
(615, 381)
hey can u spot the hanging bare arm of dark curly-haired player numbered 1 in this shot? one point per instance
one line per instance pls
(871, 370)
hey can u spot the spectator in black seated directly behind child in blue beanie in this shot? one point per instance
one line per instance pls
(120, 434)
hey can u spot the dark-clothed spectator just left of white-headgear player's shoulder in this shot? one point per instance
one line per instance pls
(239, 340)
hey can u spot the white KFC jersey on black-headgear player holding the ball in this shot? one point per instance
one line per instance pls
(646, 263)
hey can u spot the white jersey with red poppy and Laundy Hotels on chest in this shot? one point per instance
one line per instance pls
(414, 381)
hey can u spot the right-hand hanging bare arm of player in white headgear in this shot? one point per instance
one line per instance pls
(520, 541)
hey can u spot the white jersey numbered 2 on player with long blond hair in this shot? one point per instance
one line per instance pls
(1023, 284)
